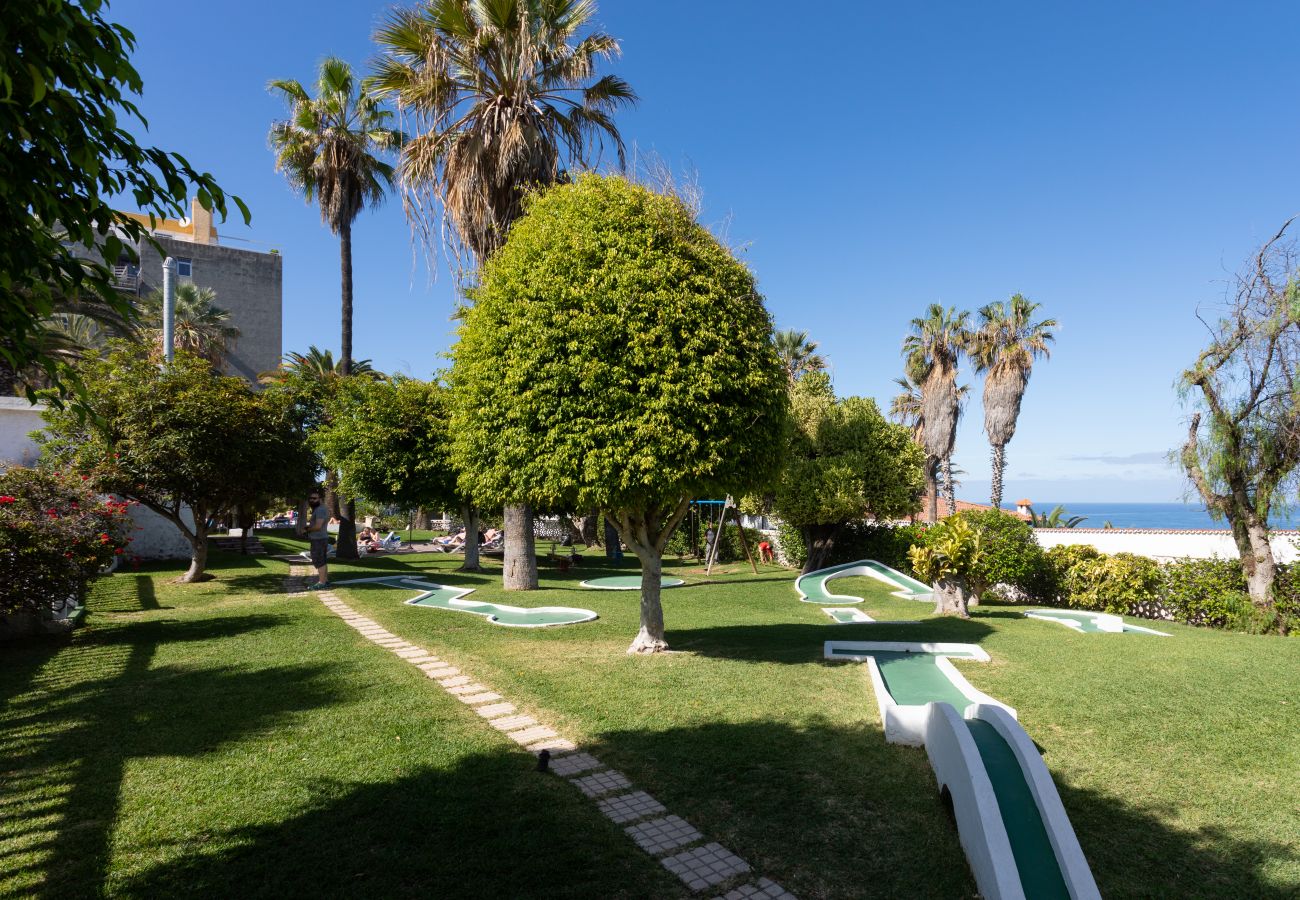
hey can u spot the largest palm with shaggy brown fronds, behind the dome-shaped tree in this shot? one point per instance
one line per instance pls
(504, 98)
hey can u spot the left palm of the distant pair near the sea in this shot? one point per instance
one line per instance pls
(931, 352)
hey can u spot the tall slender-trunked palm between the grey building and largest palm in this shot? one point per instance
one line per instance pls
(330, 150)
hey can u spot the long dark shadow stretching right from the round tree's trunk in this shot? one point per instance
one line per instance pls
(799, 643)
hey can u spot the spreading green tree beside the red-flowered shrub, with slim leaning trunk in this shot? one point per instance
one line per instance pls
(179, 438)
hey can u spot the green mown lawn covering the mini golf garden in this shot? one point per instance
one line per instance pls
(198, 738)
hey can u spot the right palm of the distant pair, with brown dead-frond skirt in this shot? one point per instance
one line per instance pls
(1004, 349)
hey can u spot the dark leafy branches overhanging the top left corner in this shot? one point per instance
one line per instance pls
(68, 84)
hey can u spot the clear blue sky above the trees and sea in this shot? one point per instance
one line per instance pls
(1115, 162)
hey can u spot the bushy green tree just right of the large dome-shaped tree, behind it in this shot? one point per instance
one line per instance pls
(844, 462)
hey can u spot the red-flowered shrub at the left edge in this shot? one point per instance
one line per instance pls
(55, 536)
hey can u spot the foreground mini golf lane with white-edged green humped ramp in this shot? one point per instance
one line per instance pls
(1009, 816)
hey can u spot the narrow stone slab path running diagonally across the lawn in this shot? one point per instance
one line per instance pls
(679, 846)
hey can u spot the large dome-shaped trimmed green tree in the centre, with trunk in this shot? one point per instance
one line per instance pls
(617, 357)
